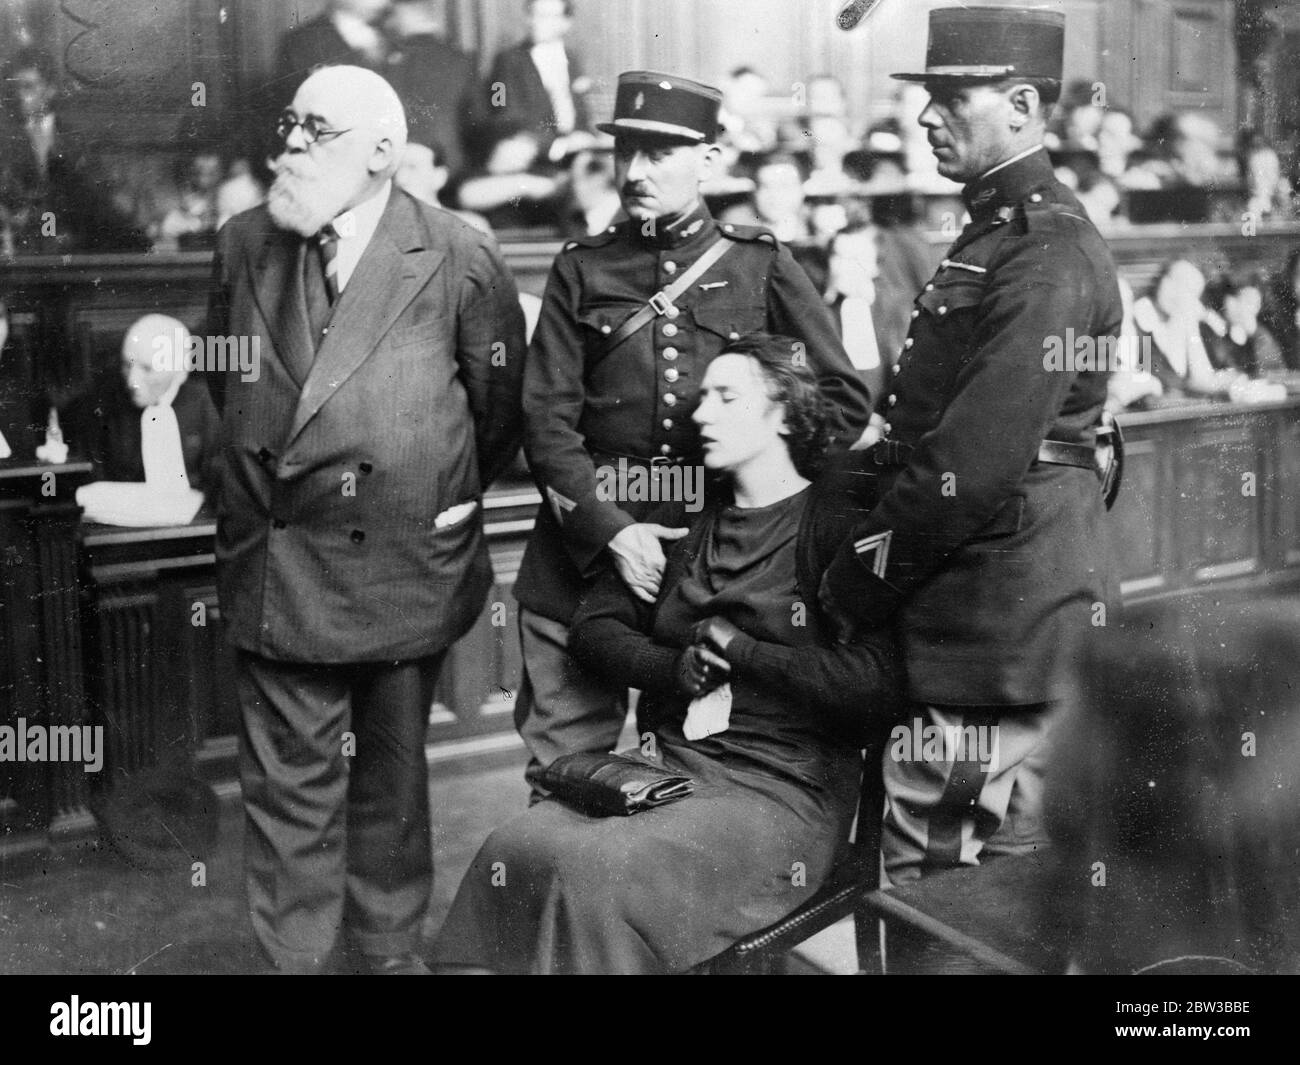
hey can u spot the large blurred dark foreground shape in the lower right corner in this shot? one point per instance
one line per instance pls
(1173, 800)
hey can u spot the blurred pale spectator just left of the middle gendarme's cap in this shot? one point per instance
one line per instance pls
(517, 189)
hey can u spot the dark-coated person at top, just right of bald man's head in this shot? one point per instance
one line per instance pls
(436, 81)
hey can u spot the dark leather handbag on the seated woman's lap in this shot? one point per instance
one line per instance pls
(613, 785)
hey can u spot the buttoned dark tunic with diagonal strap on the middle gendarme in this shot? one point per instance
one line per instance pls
(588, 408)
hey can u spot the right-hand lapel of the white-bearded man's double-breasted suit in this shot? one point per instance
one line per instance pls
(395, 267)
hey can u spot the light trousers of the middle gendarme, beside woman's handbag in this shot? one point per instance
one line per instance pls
(561, 707)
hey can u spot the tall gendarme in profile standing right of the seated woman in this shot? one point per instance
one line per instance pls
(986, 536)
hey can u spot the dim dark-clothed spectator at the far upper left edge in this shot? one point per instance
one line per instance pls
(53, 193)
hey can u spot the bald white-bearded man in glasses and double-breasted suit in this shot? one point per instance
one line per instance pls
(350, 544)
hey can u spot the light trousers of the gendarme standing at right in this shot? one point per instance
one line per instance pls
(963, 782)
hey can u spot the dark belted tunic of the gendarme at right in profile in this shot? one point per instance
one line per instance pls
(989, 561)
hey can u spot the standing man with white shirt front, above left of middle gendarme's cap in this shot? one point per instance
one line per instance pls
(539, 86)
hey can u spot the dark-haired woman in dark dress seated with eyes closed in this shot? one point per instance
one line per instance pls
(557, 891)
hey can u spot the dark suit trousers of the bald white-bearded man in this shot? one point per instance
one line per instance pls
(336, 829)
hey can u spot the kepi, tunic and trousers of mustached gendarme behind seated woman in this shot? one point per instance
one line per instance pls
(599, 392)
